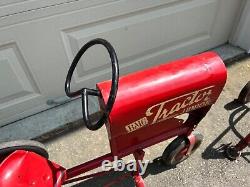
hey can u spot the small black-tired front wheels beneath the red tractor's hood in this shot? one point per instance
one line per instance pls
(170, 156)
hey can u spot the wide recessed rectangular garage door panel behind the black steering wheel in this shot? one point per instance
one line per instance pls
(136, 32)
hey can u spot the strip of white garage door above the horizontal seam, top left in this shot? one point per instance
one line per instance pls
(28, 10)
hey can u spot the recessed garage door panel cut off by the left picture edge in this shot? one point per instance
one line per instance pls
(17, 85)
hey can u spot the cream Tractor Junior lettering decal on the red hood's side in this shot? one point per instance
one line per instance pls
(173, 107)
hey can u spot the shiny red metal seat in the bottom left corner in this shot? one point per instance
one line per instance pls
(24, 168)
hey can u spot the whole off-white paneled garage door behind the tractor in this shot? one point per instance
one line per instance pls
(39, 38)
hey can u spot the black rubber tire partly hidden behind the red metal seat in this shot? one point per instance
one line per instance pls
(7, 148)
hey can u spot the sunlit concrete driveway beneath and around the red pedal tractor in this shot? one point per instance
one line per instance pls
(225, 123)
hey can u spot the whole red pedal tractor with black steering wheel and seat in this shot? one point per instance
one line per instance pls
(139, 110)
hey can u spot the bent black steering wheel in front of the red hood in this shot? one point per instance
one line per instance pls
(84, 92)
